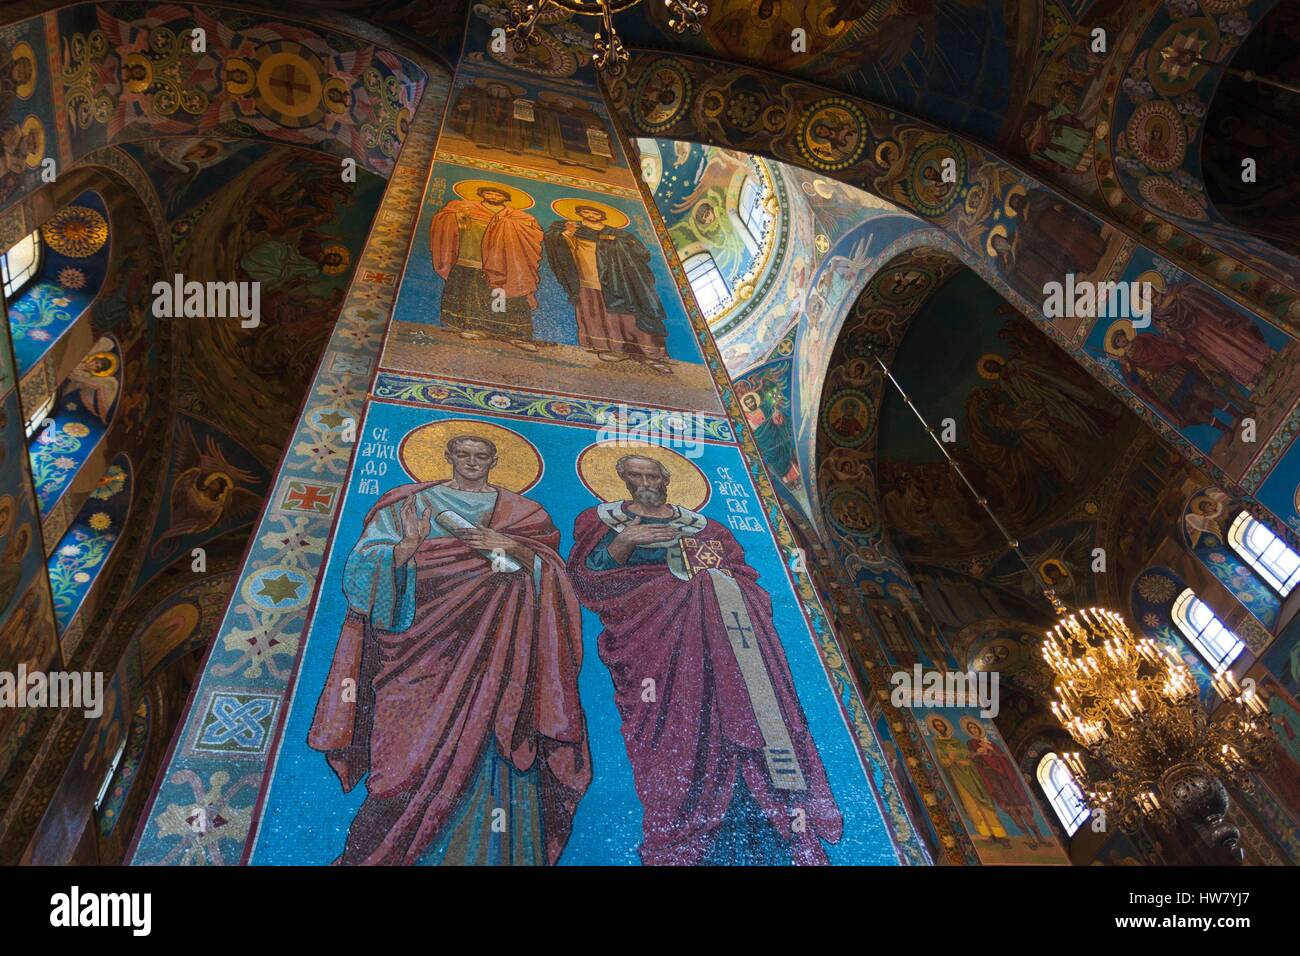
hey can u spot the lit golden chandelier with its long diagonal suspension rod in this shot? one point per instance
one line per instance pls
(1134, 707)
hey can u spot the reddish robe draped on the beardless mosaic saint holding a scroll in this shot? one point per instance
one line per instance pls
(491, 661)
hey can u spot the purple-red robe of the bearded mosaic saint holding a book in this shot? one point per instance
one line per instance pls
(691, 745)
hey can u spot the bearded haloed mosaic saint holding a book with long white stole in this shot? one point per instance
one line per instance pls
(722, 758)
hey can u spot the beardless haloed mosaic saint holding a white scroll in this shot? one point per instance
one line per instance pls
(462, 648)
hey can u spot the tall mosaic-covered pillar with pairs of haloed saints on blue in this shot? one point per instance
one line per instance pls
(558, 617)
